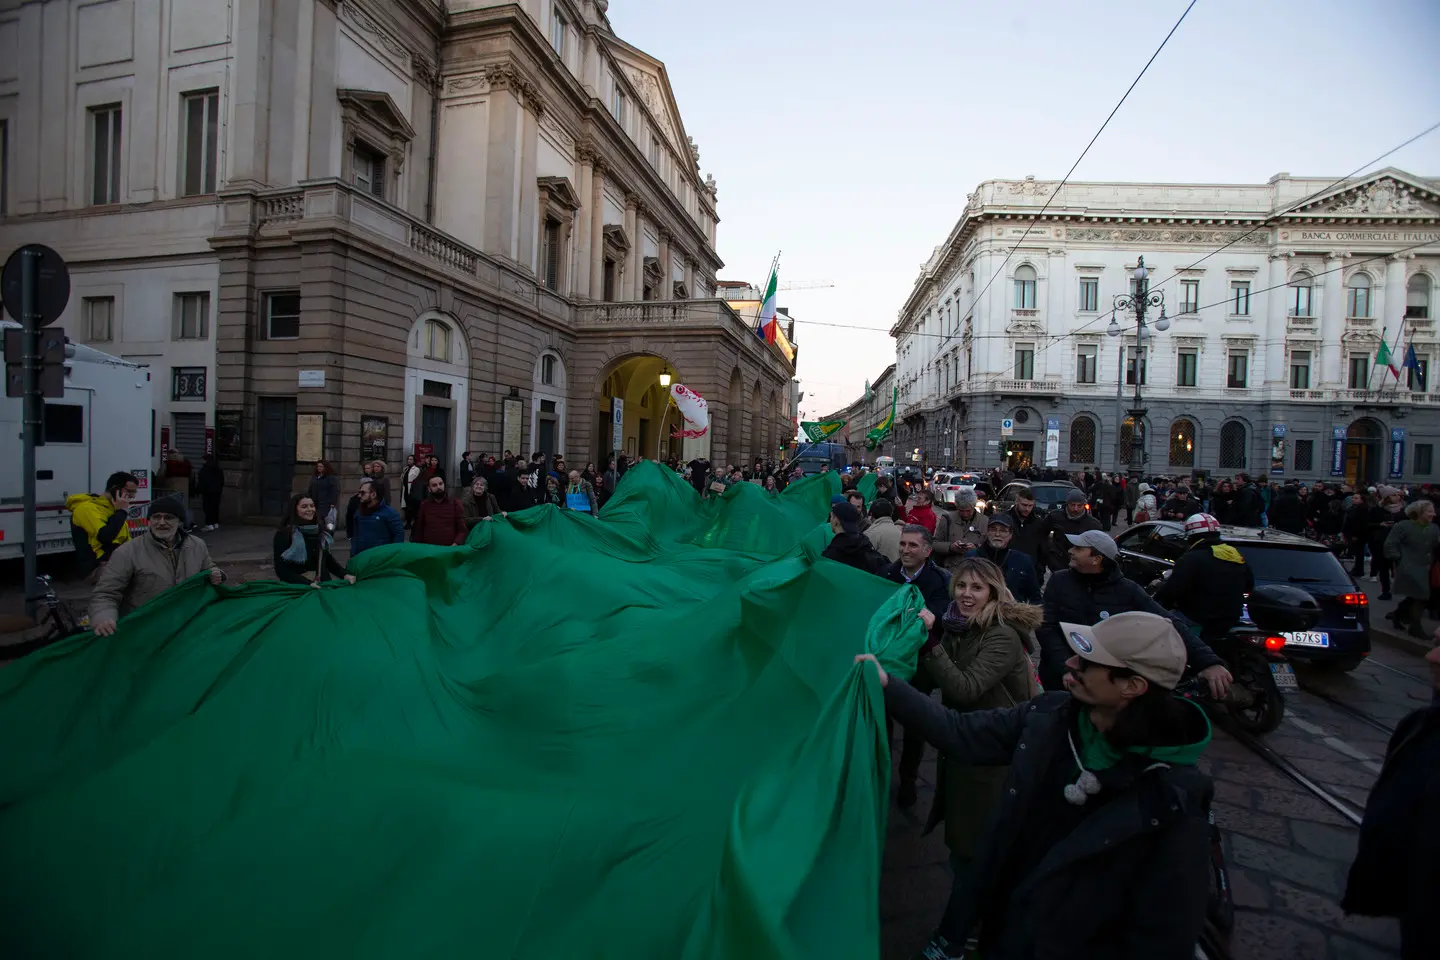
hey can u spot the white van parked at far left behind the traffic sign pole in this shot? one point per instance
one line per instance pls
(100, 427)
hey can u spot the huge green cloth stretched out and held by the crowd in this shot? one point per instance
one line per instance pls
(633, 736)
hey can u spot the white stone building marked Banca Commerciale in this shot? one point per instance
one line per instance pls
(1268, 366)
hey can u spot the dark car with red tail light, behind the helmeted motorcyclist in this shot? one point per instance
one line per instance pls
(1341, 640)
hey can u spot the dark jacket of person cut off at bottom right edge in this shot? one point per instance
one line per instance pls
(1398, 866)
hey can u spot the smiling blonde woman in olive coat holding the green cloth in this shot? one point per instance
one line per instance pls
(981, 663)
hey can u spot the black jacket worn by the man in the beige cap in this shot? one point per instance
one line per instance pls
(1128, 883)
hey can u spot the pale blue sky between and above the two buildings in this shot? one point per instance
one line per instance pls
(847, 135)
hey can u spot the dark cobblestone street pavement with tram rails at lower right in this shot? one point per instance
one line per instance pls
(1290, 854)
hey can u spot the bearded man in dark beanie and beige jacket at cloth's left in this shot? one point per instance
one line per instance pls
(145, 568)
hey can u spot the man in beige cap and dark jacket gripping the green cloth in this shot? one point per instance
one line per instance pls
(1101, 844)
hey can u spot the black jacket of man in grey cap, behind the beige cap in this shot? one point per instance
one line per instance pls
(1072, 598)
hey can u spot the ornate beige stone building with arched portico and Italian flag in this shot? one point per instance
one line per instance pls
(361, 227)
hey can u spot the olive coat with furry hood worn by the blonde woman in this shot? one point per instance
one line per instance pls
(980, 669)
